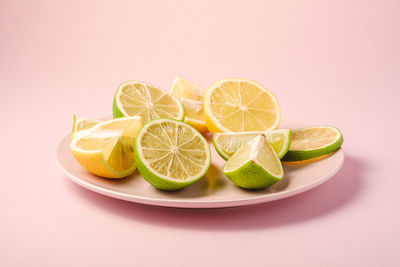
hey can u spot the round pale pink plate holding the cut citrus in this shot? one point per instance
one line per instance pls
(223, 194)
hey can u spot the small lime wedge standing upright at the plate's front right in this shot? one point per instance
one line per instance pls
(255, 165)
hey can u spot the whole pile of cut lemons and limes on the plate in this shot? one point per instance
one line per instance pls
(160, 133)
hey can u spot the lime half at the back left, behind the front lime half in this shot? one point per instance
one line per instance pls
(148, 101)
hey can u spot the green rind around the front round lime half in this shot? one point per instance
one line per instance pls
(161, 182)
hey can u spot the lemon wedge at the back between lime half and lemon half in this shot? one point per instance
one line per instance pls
(191, 96)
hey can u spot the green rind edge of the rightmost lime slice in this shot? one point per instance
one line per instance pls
(299, 155)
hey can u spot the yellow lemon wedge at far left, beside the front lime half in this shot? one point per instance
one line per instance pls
(107, 149)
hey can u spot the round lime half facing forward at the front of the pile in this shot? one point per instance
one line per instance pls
(171, 154)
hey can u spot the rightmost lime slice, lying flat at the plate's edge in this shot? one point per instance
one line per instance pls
(313, 142)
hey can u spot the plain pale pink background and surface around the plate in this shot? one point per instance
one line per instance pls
(329, 62)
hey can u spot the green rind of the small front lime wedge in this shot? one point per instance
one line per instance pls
(251, 176)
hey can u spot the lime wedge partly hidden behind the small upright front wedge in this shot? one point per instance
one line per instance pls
(226, 144)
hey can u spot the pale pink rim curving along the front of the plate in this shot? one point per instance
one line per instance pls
(193, 204)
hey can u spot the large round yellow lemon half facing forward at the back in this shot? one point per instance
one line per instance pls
(240, 105)
